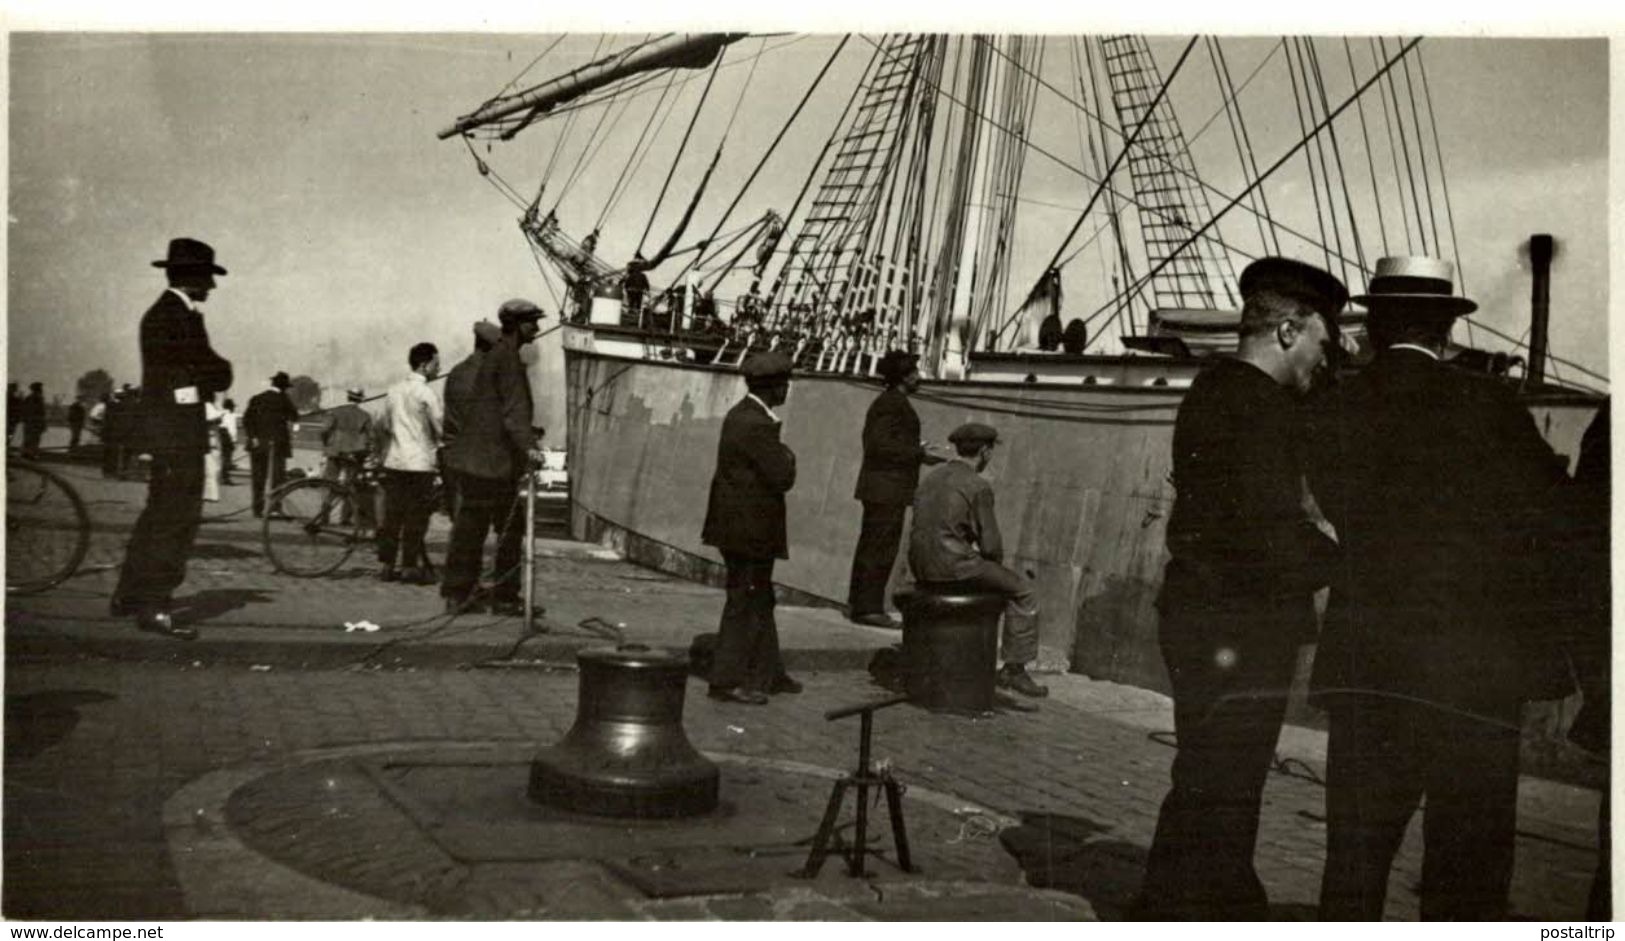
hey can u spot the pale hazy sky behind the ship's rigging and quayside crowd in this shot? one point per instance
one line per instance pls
(311, 163)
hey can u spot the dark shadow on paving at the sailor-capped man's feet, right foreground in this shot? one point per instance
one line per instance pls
(1065, 852)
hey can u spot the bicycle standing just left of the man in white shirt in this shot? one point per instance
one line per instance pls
(313, 526)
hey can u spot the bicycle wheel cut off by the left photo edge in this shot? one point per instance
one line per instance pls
(48, 531)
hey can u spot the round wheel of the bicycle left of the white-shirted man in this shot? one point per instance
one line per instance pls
(311, 527)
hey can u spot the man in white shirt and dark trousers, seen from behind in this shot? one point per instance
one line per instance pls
(410, 430)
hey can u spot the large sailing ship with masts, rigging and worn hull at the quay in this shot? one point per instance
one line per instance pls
(908, 225)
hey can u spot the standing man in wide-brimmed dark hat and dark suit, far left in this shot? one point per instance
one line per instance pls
(178, 371)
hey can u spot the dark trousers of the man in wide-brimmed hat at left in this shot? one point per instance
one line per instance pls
(155, 562)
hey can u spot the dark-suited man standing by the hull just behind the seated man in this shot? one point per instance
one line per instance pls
(893, 454)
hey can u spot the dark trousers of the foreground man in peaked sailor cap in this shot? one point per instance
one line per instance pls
(1226, 722)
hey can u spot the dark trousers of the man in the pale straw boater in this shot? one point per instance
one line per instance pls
(1382, 758)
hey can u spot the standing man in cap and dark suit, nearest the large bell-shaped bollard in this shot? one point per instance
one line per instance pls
(745, 521)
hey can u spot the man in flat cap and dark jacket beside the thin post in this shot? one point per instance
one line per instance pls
(488, 425)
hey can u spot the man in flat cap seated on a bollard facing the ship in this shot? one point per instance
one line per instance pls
(956, 542)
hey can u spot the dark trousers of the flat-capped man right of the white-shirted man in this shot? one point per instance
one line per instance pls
(483, 506)
